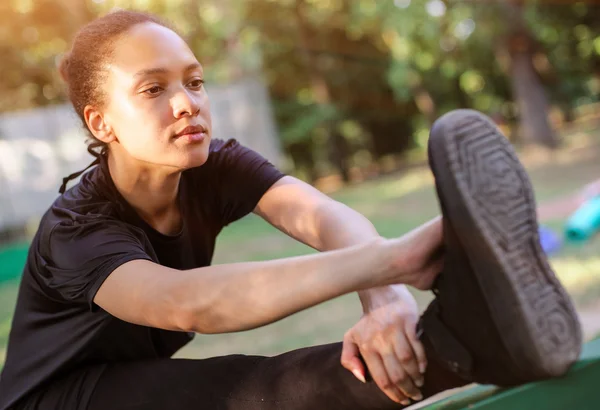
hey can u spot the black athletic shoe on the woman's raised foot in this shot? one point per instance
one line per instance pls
(500, 315)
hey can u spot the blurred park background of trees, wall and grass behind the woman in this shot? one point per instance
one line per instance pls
(340, 93)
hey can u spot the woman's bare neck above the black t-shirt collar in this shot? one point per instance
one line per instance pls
(150, 190)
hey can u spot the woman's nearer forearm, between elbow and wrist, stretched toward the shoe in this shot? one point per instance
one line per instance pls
(242, 296)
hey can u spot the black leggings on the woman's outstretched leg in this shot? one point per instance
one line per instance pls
(310, 378)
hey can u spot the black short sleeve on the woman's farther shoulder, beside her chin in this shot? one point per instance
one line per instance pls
(243, 177)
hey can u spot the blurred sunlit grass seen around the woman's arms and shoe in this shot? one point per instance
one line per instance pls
(395, 204)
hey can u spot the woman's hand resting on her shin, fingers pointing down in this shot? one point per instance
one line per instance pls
(386, 339)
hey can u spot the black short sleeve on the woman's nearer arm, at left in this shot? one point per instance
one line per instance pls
(79, 257)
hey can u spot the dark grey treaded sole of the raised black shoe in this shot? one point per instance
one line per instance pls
(539, 327)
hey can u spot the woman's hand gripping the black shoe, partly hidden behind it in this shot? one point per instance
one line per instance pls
(417, 257)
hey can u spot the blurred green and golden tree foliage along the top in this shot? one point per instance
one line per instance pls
(380, 60)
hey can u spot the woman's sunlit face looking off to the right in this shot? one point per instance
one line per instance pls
(156, 106)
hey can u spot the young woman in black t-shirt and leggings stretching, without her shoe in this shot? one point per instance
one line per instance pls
(118, 276)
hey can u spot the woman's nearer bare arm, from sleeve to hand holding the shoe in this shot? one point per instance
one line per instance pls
(240, 296)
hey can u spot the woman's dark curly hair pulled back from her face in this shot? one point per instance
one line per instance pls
(82, 68)
